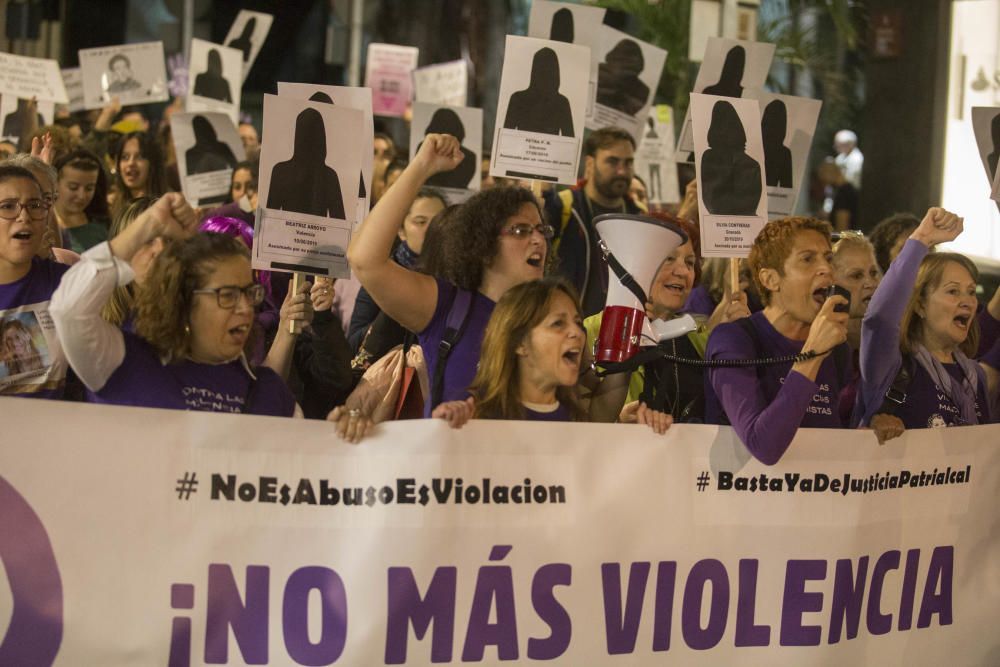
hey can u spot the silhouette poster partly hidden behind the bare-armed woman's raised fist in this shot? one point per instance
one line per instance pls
(466, 125)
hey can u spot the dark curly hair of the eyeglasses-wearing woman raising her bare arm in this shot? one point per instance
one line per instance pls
(476, 238)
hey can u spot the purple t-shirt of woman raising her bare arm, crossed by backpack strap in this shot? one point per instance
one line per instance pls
(464, 357)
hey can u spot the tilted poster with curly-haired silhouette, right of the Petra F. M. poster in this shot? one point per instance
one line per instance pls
(627, 77)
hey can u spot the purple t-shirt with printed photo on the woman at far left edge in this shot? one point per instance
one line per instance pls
(32, 364)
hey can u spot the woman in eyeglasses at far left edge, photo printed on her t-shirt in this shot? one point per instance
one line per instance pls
(26, 286)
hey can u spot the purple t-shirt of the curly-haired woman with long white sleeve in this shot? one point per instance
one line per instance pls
(144, 381)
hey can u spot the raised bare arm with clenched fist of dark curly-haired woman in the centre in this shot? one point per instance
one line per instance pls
(406, 296)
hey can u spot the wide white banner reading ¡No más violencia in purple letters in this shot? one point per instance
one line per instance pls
(230, 540)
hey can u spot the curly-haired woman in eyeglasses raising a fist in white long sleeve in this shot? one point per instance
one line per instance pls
(193, 315)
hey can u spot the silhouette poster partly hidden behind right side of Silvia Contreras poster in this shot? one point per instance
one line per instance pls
(787, 126)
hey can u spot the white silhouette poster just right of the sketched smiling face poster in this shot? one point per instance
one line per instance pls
(214, 79)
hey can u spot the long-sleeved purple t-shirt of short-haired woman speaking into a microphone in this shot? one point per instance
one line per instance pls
(767, 409)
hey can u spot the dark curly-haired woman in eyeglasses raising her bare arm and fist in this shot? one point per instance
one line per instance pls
(500, 241)
